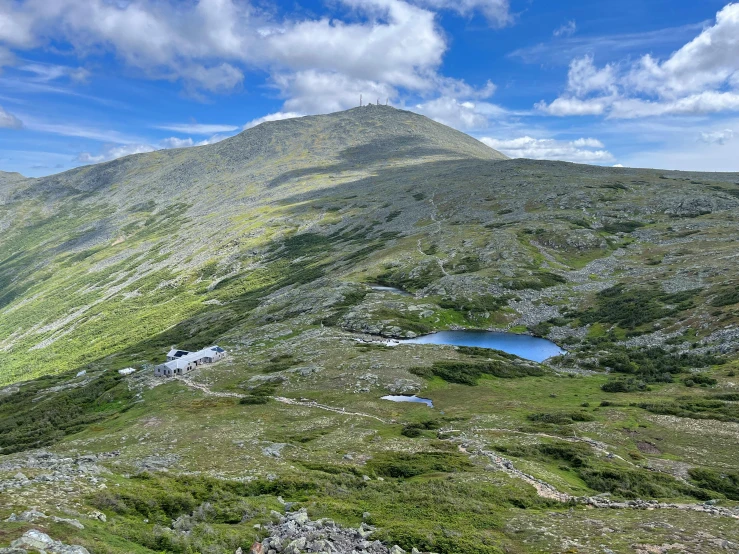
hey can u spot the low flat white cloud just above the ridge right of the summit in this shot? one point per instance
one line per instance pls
(584, 150)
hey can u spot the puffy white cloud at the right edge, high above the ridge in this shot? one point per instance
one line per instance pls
(700, 78)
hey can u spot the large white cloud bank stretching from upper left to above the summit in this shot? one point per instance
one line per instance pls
(384, 49)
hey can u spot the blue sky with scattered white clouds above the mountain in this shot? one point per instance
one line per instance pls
(650, 83)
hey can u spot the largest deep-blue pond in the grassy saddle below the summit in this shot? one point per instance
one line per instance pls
(523, 346)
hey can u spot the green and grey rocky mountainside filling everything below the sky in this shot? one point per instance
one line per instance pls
(269, 244)
